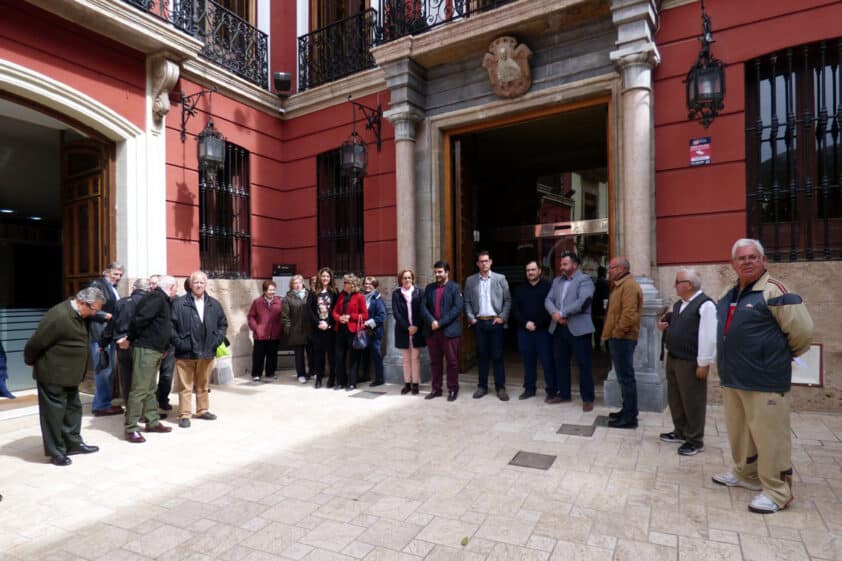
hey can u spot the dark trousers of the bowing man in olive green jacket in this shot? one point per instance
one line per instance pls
(61, 418)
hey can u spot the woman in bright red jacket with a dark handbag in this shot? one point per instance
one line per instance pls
(349, 316)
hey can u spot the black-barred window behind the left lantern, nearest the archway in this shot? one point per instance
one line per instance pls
(225, 217)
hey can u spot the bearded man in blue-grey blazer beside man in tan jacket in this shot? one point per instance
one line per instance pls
(569, 304)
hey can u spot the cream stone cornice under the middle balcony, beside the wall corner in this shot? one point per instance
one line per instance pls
(333, 93)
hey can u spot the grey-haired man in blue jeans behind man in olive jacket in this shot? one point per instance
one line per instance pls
(104, 356)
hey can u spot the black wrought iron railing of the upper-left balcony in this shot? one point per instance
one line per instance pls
(228, 40)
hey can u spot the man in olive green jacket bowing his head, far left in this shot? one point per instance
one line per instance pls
(59, 351)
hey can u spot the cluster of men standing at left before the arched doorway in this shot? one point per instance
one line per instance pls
(149, 333)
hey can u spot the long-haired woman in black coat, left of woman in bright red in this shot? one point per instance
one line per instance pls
(323, 338)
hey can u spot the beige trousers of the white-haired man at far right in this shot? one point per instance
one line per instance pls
(760, 439)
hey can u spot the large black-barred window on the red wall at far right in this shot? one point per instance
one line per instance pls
(794, 151)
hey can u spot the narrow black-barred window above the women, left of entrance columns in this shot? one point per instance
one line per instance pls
(340, 216)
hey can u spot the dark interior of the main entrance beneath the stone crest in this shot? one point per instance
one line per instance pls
(532, 190)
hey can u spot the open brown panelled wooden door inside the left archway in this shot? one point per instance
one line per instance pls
(85, 217)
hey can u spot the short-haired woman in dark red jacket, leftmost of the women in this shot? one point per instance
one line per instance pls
(264, 319)
